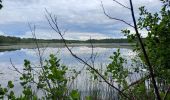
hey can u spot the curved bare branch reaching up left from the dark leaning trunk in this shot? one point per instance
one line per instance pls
(121, 20)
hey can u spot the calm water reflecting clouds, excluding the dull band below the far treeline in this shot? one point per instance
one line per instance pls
(83, 81)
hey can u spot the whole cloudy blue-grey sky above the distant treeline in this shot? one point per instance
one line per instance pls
(81, 19)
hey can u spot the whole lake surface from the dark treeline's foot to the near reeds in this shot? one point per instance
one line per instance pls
(83, 82)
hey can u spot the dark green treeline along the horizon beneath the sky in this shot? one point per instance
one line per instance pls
(10, 39)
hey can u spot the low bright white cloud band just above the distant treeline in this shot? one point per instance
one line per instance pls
(50, 34)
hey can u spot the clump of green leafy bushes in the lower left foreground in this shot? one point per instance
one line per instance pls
(51, 79)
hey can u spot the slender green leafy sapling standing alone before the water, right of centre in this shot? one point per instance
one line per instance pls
(116, 69)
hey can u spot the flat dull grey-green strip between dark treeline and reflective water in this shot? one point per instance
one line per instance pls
(16, 46)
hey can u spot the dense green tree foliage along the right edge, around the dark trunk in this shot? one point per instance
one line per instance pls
(157, 45)
